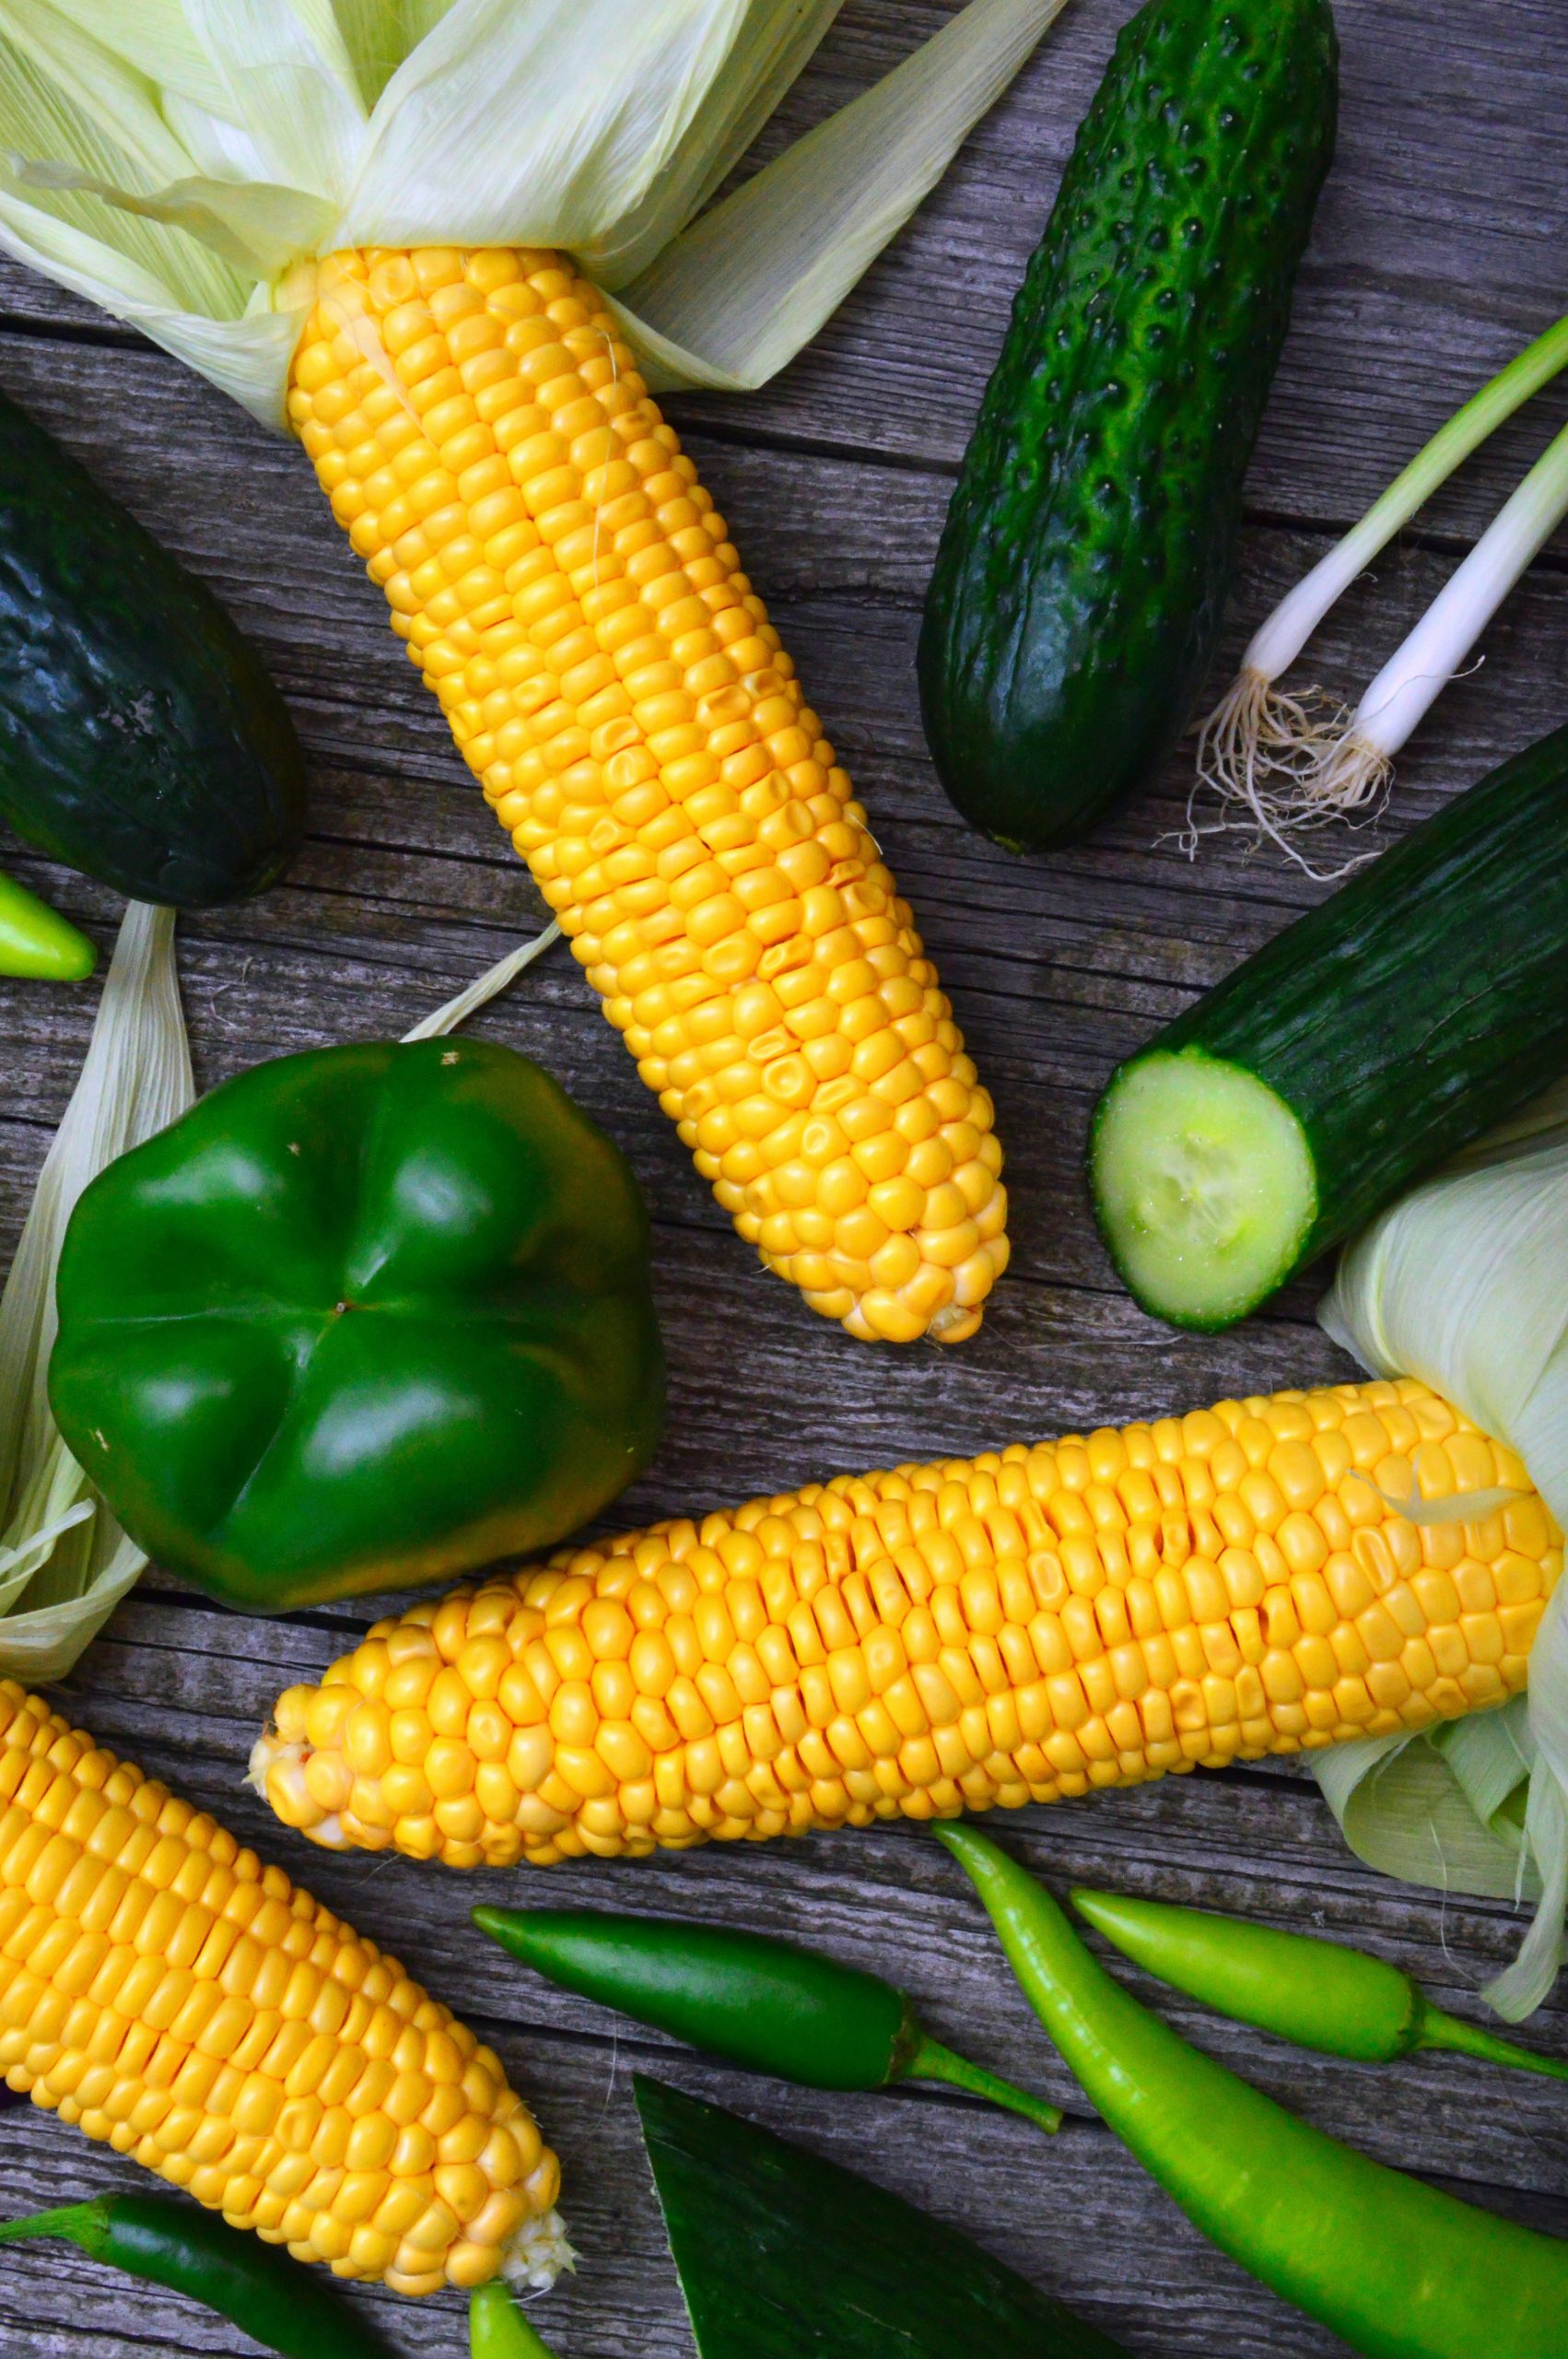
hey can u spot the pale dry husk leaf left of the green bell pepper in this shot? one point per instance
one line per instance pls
(65, 1563)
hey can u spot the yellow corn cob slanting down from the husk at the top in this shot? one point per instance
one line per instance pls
(612, 678)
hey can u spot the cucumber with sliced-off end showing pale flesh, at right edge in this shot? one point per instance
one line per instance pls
(1350, 1056)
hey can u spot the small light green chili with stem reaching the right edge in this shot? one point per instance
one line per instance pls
(1312, 1992)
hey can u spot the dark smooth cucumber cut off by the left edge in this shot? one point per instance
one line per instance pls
(140, 737)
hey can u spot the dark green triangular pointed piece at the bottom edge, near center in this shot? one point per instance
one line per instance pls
(786, 2256)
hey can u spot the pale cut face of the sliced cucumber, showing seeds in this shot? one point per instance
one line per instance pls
(1204, 1185)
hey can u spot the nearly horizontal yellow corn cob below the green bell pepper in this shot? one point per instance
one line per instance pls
(1015, 1629)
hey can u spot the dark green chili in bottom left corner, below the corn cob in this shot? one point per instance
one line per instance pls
(176, 2245)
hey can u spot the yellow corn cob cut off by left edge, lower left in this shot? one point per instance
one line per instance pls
(166, 1992)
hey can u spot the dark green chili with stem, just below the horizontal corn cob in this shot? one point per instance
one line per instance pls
(749, 1999)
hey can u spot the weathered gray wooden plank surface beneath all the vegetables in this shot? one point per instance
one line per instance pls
(1439, 251)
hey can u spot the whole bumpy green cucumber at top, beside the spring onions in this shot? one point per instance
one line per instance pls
(1086, 560)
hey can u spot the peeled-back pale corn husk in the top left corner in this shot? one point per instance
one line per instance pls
(187, 162)
